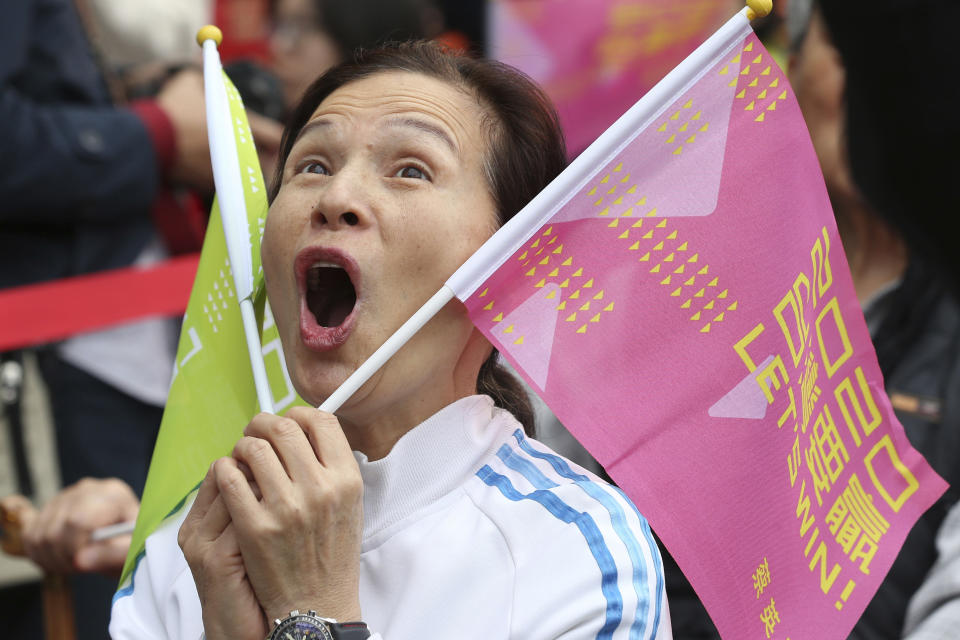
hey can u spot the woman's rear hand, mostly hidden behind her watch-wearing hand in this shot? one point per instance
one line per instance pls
(209, 542)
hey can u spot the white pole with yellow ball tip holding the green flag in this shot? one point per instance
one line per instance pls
(227, 179)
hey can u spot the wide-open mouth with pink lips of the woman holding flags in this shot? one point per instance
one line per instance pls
(328, 296)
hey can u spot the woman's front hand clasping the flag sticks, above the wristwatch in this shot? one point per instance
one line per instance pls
(300, 542)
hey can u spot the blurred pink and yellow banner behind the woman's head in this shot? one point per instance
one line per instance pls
(595, 58)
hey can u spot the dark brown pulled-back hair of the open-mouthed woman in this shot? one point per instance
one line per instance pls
(525, 152)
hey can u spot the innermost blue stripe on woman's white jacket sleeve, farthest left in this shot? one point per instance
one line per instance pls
(585, 523)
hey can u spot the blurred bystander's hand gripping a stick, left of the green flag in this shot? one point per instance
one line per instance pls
(57, 537)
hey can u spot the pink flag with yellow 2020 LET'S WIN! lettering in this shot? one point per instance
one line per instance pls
(687, 311)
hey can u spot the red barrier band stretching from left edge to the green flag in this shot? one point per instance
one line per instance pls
(50, 311)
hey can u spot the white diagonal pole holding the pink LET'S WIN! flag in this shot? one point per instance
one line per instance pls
(488, 258)
